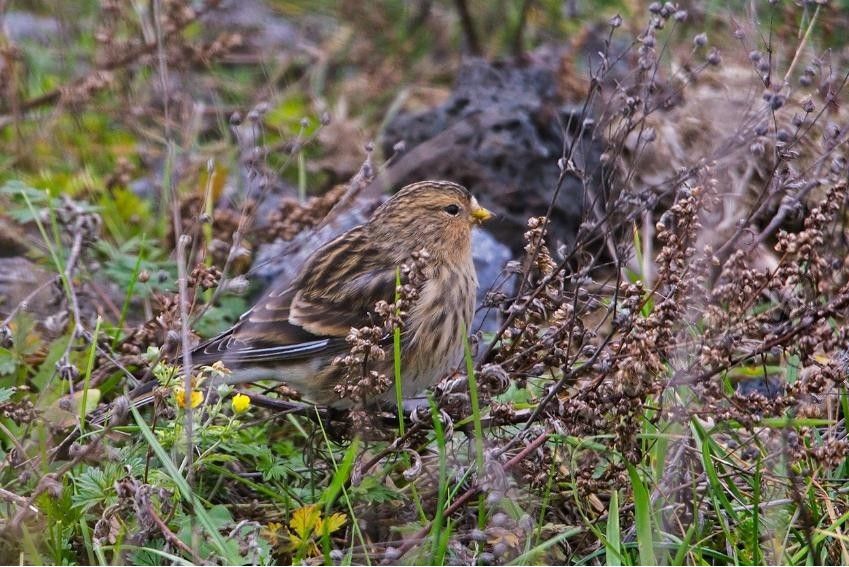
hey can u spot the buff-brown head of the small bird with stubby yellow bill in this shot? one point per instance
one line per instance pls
(435, 215)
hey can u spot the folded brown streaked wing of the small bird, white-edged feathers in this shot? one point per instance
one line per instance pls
(336, 290)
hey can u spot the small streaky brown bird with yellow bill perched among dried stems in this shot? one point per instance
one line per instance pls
(294, 334)
